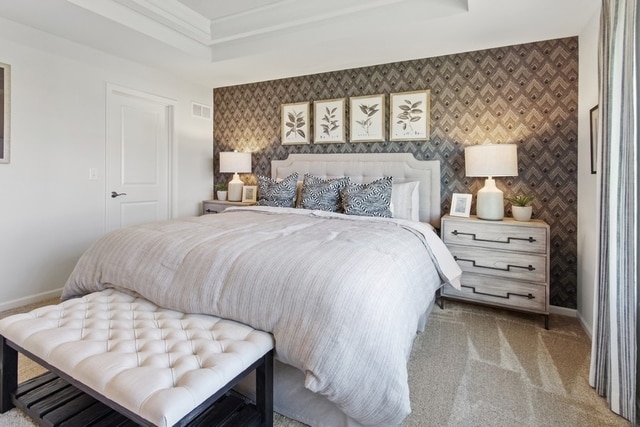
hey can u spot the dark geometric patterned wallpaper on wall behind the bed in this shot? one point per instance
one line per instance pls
(525, 94)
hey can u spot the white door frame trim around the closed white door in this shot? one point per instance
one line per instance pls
(172, 157)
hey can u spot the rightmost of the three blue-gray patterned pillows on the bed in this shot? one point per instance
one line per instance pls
(371, 199)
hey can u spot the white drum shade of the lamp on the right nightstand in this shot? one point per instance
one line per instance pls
(491, 160)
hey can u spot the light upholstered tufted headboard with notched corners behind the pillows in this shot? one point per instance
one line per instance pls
(367, 167)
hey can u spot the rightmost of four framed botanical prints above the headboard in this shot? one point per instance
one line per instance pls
(410, 116)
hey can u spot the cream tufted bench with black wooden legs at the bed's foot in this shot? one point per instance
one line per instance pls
(154, 366)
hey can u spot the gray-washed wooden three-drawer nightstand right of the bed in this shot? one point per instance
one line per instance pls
(504, 263)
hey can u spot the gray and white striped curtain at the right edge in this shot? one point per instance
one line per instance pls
(614, 362)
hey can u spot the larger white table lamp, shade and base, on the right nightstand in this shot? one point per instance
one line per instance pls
(491, 160)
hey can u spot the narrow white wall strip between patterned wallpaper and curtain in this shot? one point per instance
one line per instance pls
(587, 182)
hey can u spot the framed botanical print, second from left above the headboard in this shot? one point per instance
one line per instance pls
(329, 121)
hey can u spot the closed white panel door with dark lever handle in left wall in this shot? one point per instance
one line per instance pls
(138, 158)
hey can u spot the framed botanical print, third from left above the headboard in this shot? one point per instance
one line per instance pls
(367, 118)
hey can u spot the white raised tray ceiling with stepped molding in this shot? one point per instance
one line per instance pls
(221, 43)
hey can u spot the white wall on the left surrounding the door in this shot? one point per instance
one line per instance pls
(49, 210)
